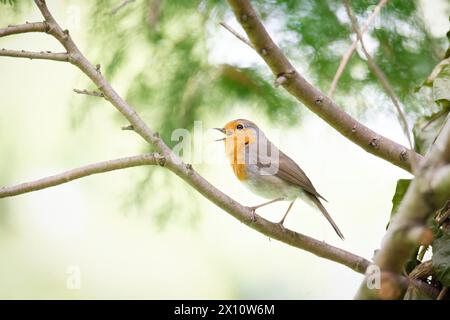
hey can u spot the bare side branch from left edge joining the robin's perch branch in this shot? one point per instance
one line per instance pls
(84, 171)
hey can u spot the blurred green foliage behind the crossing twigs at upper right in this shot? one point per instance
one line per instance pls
(320, 32)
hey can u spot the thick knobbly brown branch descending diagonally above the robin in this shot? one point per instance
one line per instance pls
(313, 98)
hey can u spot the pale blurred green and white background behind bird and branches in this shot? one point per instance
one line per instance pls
(143, 233)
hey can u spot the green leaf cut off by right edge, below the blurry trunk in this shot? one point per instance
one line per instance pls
(441, 259)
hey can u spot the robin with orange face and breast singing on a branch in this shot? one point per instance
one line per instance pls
(266, 170)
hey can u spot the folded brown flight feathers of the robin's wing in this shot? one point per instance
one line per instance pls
(289, 171)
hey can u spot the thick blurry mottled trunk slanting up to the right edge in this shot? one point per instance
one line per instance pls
(421, 200)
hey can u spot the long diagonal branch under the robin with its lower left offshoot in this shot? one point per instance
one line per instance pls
(184, 171)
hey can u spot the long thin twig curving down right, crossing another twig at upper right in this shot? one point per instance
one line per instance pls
(384, 82)
